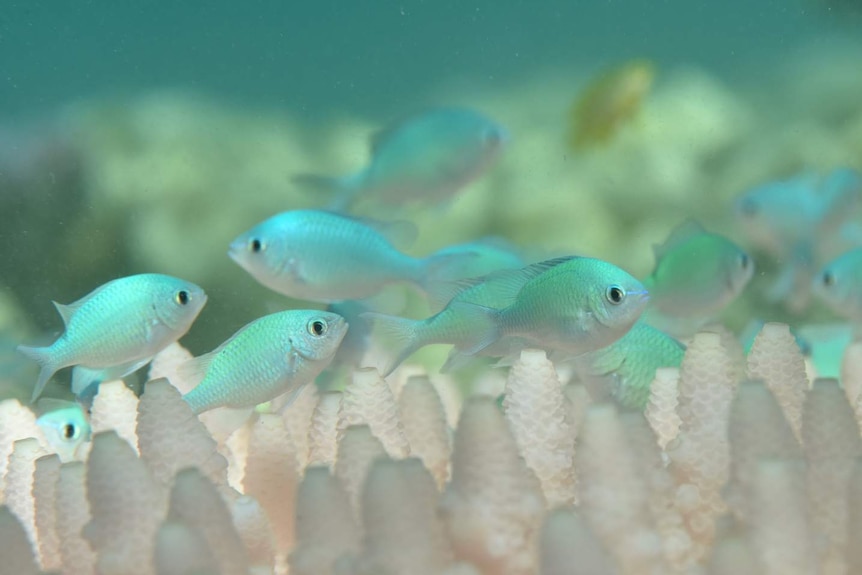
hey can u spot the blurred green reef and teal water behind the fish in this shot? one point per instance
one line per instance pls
(145, 138)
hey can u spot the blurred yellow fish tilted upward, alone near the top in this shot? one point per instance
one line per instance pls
(608, 102)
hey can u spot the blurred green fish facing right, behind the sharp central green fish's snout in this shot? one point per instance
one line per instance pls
(696, 275)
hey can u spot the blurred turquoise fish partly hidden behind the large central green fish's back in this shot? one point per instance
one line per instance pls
(489, 254)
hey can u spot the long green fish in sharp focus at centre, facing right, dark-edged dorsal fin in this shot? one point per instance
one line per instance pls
(570, 304)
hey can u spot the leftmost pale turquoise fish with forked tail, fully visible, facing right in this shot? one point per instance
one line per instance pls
(120, 325)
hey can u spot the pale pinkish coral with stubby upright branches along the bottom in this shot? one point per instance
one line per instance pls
(756, 500)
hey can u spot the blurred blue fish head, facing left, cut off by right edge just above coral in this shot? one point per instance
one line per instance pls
(838, 284)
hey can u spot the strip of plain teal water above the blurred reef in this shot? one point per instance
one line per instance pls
(372, 57)
